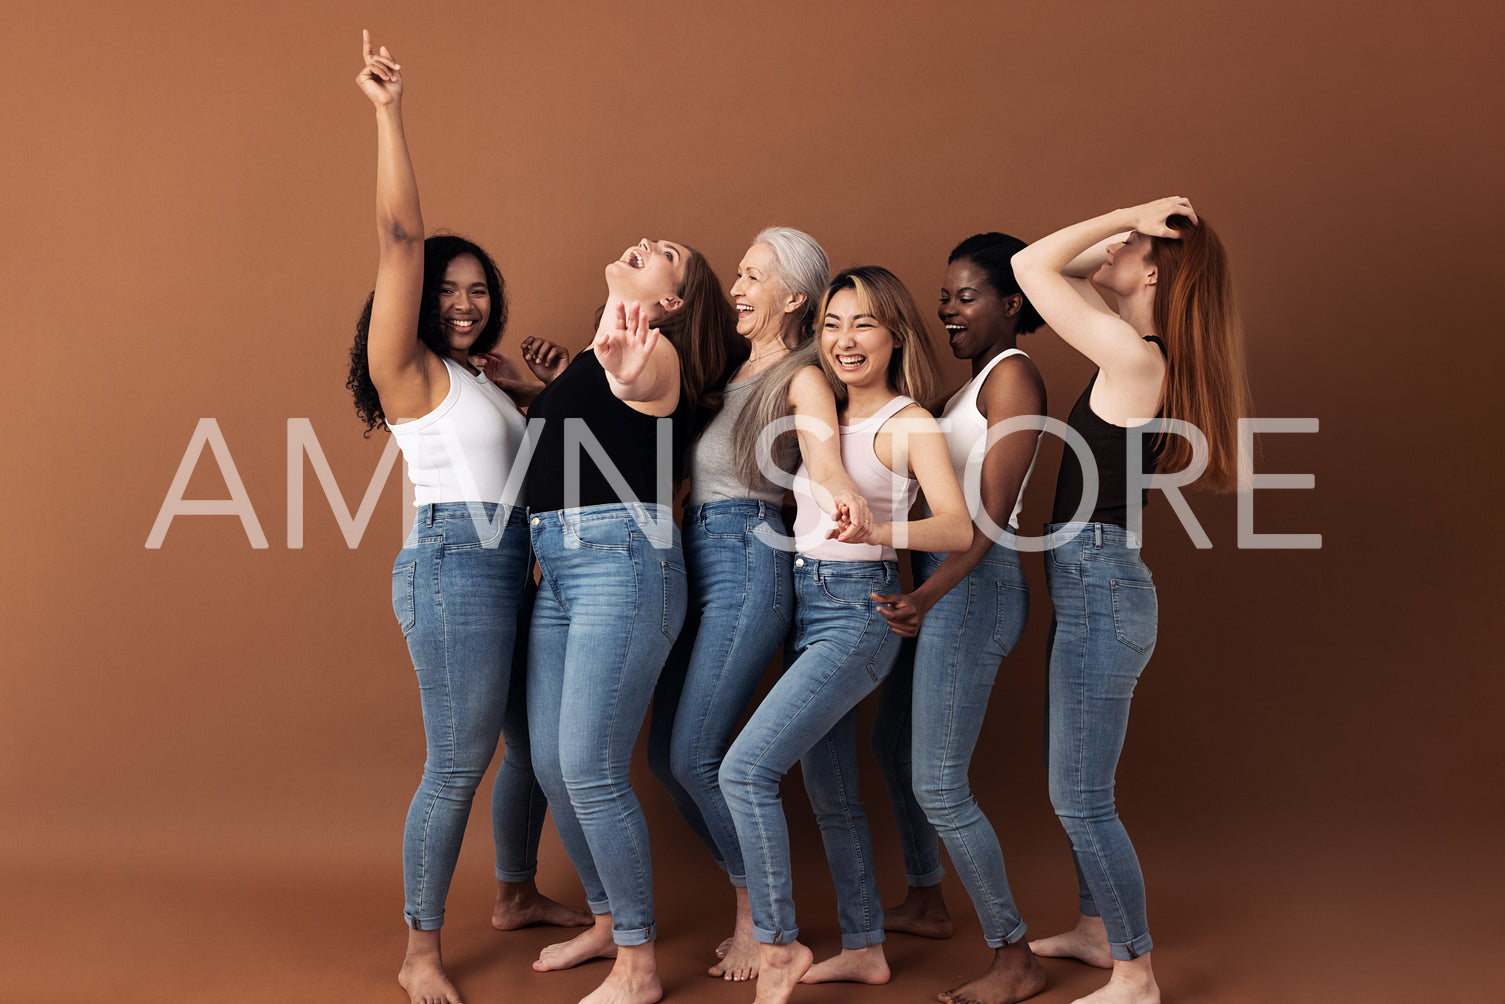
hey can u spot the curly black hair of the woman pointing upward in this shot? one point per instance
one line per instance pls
(439, 252)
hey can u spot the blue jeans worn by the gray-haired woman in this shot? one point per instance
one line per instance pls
(741, 604)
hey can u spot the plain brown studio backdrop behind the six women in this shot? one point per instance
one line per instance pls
(231, 734)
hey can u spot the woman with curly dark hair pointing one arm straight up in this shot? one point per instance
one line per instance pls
(458, 582)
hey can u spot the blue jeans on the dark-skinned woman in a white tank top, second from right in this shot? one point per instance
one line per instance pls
(929, 719)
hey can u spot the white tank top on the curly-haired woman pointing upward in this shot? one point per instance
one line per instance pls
(463, 451)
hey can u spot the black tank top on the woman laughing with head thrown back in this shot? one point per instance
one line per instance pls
(628, 437)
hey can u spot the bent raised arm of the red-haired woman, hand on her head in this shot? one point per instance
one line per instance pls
(1044, 270)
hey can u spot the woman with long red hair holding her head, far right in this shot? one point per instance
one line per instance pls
(1172, 350)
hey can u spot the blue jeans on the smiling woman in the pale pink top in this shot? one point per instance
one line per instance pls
(810, 717)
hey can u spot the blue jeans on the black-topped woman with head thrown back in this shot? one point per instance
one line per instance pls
(609, 609)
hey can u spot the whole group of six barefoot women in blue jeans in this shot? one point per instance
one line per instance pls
(827, 379)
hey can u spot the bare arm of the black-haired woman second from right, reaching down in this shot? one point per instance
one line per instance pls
(1012, 389)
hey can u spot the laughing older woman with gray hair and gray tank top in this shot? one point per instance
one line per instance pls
(738, 550)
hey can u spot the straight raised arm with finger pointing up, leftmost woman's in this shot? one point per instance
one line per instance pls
(397, 357)
